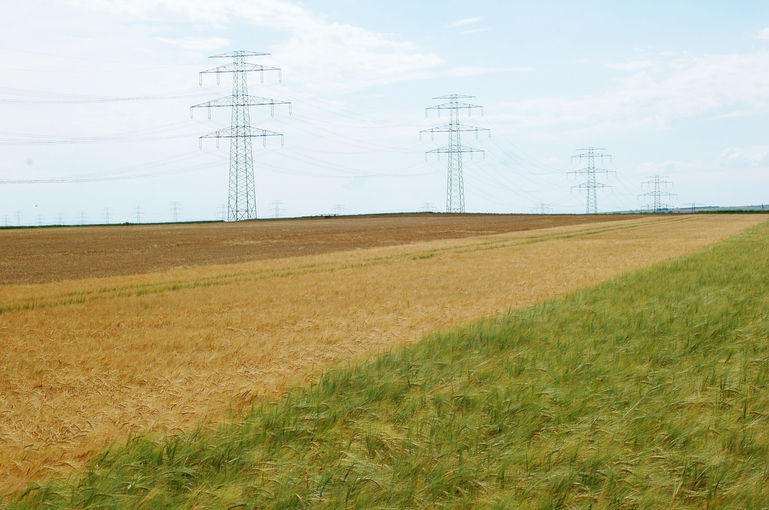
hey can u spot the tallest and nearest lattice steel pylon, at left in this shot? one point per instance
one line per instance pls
(241, 204)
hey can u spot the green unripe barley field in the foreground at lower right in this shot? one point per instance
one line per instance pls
(647, 391)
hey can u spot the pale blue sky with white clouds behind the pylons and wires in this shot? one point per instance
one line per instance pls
(96, 125)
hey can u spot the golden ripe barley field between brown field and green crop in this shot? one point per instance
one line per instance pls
(86, 362)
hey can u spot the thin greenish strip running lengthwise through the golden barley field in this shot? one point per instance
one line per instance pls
(81, 296)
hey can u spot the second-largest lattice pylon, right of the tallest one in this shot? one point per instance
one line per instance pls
(455, 186)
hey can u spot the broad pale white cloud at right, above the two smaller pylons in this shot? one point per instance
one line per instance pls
(655, 92)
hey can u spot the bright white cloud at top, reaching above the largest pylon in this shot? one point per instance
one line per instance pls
(326, 54)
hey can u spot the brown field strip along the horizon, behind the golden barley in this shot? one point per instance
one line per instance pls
(36, 255)
